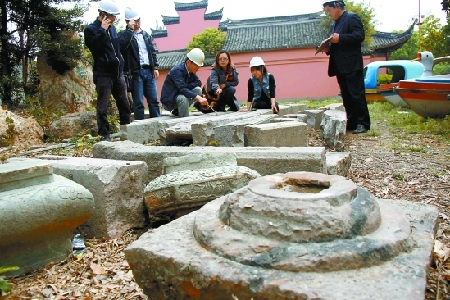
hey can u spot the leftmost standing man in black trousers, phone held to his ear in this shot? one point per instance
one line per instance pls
(101, 39)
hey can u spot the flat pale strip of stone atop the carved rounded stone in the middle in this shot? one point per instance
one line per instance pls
(198, 161)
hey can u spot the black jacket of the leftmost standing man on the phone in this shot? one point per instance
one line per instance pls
(105, 48)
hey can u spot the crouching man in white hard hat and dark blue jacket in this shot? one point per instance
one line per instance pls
(182, 86)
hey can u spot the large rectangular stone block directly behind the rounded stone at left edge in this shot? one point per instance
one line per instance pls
(117, 187)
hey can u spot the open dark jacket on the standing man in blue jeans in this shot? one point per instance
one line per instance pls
(130, 50)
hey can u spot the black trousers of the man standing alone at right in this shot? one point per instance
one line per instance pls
(354, 97)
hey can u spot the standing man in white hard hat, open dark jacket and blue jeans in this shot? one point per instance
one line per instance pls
(141, 63)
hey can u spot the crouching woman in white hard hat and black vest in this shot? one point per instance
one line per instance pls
(261, 87)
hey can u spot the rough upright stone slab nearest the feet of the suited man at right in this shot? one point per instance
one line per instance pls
(333, 127)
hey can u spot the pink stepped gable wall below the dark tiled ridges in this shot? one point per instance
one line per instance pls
(179, 35)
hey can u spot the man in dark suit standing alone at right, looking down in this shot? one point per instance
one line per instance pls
(346, 63)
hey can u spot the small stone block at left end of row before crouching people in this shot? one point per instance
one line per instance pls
(142, 131)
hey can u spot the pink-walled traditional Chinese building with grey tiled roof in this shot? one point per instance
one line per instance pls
(286, 43)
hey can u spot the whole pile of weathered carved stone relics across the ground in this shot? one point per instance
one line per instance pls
(263, 231)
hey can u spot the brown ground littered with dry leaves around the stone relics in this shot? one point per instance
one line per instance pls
(419, 172)
